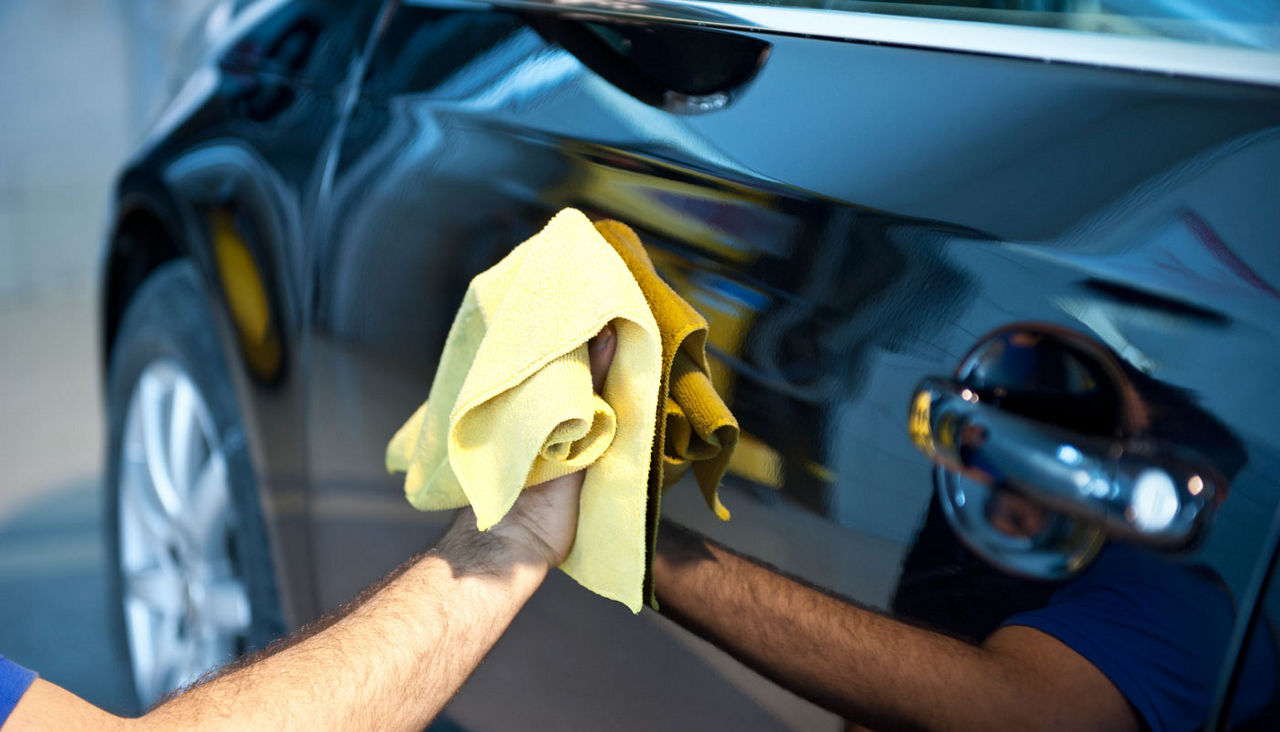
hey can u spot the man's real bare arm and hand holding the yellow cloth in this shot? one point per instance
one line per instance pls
(392, 658)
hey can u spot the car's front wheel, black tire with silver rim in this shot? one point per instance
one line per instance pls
(190, 569)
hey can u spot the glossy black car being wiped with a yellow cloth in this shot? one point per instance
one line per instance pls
(994, 290)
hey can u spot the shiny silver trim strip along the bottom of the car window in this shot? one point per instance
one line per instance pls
(1165, 57)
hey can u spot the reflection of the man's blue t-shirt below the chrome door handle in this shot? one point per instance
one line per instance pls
(1158, 632)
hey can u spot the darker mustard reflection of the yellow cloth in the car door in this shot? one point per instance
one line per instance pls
(694, 426)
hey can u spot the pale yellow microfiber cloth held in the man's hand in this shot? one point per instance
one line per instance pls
(513, 402)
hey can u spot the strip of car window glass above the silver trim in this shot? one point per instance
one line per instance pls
(1247, 24)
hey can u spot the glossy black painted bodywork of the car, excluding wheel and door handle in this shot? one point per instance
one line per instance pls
(853, 221)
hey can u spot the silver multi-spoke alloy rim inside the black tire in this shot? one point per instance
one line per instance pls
(186, 605)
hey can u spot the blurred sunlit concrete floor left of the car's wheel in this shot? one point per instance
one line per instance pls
(53, 591)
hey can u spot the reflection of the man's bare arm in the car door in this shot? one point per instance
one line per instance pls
(865, 666)
